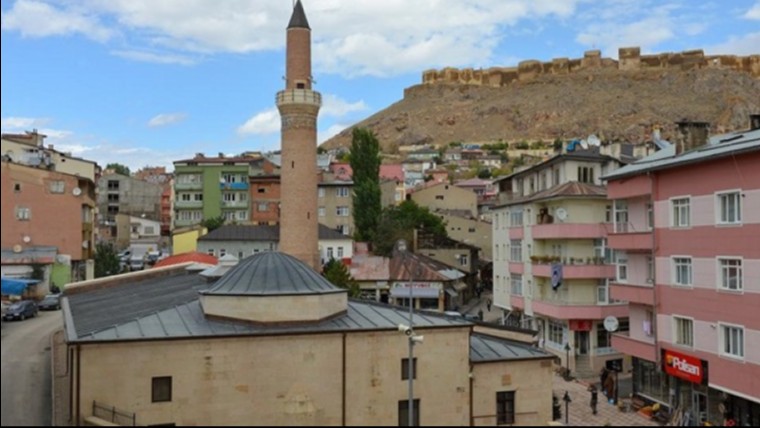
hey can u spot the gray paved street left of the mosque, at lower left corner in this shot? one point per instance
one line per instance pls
(26, 394)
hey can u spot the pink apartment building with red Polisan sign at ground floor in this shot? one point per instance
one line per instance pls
(686, 237)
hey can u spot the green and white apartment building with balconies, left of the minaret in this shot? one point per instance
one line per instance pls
(207, 187)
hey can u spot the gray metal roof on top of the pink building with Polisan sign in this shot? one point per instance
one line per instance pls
(719, 146)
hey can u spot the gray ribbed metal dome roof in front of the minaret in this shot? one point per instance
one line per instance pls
(271, 274)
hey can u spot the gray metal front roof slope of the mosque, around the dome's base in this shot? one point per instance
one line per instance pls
(188, 321)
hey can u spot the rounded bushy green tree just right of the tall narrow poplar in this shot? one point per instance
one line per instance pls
(399, 222)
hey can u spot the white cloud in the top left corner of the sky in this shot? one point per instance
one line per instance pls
(38, 19)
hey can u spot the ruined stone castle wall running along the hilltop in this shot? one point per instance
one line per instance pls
(630, 59)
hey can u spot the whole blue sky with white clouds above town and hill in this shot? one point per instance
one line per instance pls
(148, 82)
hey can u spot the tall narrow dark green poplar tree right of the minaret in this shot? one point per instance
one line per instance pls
(365, 163)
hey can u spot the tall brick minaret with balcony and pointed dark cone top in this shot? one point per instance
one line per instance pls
(299, 106)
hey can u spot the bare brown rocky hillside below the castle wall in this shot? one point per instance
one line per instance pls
(608, 103)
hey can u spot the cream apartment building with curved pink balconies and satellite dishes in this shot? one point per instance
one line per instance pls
(551, 264)
